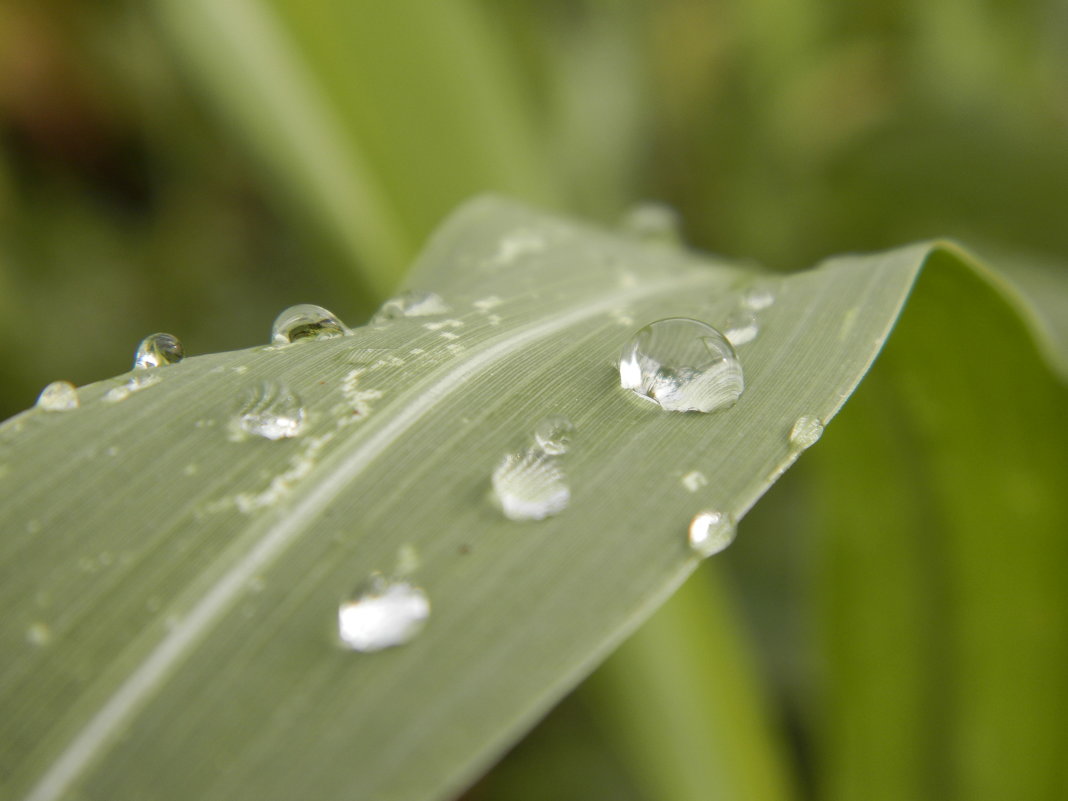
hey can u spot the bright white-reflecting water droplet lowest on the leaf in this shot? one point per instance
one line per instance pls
(383, 615)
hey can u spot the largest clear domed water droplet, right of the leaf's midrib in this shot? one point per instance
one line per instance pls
(682, 365)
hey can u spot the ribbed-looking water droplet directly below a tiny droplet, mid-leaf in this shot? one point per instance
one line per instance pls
(530, 485)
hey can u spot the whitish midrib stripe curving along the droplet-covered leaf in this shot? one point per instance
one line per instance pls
(99, 733)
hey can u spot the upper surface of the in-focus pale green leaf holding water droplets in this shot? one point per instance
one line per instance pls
(171, 595)
